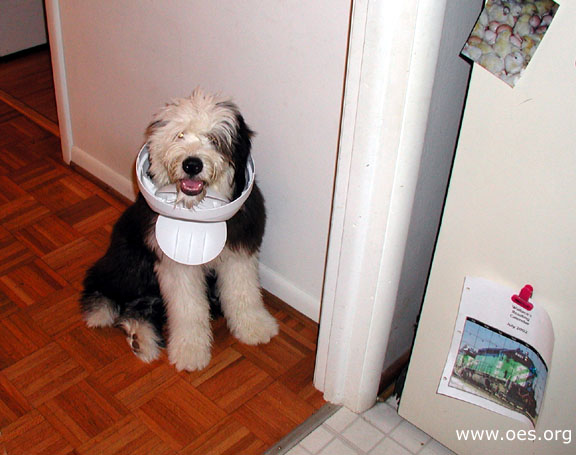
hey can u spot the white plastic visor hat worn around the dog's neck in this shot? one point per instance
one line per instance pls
(194, 235)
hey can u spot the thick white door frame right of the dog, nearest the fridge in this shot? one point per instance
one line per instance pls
(391, 65)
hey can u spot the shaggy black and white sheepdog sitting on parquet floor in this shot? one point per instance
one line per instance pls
(196, 143)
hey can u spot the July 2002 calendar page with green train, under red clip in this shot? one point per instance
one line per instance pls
(501, 352)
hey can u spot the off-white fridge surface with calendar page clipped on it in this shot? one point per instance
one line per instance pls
(510, 217)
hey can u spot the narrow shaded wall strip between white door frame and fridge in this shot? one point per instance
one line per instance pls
(446, 105)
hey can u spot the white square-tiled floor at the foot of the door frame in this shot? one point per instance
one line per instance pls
(378, 431)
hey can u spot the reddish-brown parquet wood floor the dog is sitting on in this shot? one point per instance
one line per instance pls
(66, 389)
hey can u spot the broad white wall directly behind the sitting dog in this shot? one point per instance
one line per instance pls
(283, 62)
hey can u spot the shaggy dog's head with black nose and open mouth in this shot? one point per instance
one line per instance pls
(197, 143)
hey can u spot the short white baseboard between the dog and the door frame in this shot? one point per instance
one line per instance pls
(289, 293)
